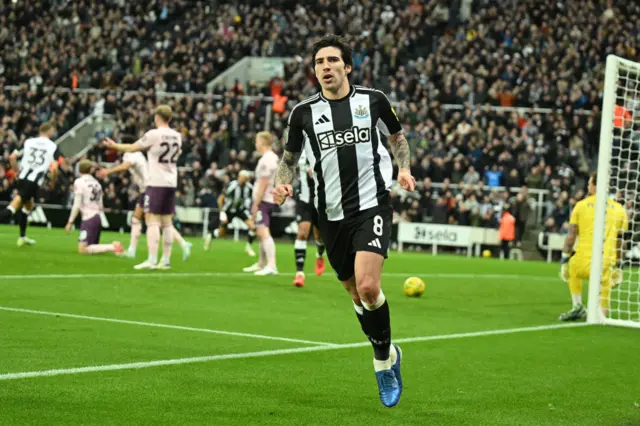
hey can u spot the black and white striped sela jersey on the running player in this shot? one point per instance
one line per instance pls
(342, 141)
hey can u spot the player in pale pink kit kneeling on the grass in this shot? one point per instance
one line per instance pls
(87, 200)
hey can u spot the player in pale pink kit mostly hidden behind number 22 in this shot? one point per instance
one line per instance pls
(136, 164)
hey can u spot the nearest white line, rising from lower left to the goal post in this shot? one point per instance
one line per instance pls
(244, 355)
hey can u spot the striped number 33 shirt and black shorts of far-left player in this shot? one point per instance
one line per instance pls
(37, 155)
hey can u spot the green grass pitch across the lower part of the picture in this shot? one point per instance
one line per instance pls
(581, 376)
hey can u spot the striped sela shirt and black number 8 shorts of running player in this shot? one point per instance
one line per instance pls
(352, 170)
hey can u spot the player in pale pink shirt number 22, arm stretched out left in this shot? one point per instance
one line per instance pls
(163, 146)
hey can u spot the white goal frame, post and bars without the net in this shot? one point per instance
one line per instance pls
(594, 313)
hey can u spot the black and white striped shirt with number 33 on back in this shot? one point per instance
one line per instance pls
(37, 155)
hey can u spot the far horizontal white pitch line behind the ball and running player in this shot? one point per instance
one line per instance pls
(286, 274)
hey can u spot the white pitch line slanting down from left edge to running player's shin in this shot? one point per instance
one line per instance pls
(174, 327)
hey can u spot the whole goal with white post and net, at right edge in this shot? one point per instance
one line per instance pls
(617, 265)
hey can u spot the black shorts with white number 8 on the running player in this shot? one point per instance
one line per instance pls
(369, 230)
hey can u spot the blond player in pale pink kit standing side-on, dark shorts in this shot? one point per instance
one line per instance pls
(263, 204)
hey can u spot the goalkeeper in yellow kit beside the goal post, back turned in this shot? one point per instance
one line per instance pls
(576, 267)
